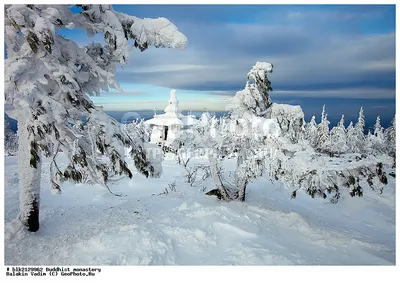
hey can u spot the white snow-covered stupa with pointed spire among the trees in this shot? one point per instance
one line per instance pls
(167, 125)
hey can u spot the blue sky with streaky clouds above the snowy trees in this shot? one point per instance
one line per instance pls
(339, 55)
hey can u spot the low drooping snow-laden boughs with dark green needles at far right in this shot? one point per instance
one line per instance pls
(328, 177)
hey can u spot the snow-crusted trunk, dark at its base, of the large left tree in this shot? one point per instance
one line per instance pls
(29, 180)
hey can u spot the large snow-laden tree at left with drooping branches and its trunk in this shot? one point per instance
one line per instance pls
(47, 79)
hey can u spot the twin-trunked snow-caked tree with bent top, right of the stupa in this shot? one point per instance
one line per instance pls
(242, 134)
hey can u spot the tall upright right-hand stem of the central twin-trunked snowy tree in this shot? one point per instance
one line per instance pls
(251, 104)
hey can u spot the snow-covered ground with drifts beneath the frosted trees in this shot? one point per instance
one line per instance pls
(87, 225)
